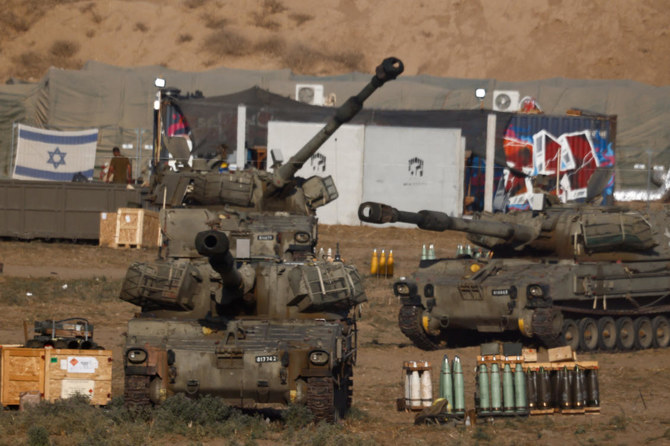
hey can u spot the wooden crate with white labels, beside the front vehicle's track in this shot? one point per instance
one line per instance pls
(69, 372)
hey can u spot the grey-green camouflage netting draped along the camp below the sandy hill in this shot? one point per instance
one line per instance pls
(118, 101)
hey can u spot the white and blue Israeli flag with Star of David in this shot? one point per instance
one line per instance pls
(53, 155)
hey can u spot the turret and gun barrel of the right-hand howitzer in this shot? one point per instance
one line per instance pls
(566, 232)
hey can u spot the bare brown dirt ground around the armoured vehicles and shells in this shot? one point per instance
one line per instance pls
(635, 387)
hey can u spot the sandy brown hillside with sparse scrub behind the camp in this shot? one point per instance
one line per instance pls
(511, 40)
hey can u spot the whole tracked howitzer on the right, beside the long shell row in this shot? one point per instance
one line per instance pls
(594, 278)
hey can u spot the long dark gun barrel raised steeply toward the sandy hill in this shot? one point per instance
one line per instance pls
(389, 69)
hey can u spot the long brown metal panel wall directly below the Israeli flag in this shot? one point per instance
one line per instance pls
(39, 209)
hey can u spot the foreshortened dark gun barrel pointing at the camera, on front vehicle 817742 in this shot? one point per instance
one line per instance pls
(216, 247)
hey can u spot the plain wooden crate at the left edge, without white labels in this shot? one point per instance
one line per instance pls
(21, 370)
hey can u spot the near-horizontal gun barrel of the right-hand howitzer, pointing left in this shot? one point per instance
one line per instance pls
(378, 213)
